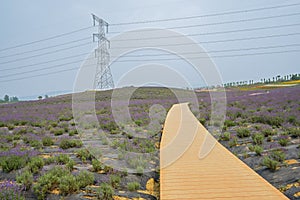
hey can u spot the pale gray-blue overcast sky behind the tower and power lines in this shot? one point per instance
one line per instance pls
(24, 21)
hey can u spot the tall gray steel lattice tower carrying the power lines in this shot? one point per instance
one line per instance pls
(103, 76)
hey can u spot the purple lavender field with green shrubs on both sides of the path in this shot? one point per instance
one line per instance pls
(43, 155)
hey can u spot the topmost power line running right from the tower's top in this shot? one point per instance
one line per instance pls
(207, 15)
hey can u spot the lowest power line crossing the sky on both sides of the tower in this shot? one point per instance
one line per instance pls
(168, 59)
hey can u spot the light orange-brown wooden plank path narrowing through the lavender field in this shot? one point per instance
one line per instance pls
(219, 175)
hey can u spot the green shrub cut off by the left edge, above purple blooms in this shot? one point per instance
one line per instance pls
(13, 162)
